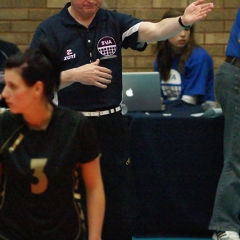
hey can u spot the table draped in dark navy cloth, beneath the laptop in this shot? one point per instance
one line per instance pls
(177, 160)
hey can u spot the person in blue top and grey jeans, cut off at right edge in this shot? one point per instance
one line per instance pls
(225, 217)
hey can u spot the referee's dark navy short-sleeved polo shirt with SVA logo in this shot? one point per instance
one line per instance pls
(77, 45)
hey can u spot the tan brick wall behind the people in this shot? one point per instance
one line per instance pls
(19, 19)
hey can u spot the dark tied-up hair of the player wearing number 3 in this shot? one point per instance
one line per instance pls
(41, 64)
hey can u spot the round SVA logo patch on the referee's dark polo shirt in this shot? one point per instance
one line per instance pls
(107, 46)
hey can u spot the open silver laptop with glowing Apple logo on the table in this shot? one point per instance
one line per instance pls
(141, 92)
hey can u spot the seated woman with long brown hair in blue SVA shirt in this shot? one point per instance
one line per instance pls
(186, 69)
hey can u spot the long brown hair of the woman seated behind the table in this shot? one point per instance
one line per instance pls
(163, 50)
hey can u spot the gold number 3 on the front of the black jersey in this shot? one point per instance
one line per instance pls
(38, 164)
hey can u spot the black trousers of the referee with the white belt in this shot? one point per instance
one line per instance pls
(113, 137)
